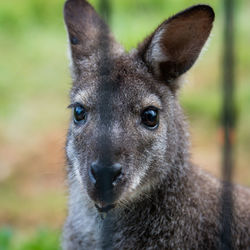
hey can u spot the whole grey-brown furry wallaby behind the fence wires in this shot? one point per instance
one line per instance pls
(128, 148)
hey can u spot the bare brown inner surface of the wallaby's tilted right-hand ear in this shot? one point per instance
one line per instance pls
(184, 36)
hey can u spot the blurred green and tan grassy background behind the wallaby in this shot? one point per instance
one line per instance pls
(34, 85)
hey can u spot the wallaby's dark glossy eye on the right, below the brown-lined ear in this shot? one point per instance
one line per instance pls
(150, 117)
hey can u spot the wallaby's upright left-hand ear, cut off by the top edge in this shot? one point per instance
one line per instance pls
(87, 31)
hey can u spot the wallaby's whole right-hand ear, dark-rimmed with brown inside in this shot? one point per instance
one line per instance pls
(176, 44)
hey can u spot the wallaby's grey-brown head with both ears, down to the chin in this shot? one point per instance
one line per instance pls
(127, 131)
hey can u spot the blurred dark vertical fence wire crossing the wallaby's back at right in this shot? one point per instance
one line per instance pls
(228, 123)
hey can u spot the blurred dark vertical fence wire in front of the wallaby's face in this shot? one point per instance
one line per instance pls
(106, 89)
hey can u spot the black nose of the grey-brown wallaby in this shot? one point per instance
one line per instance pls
(105, 176)
